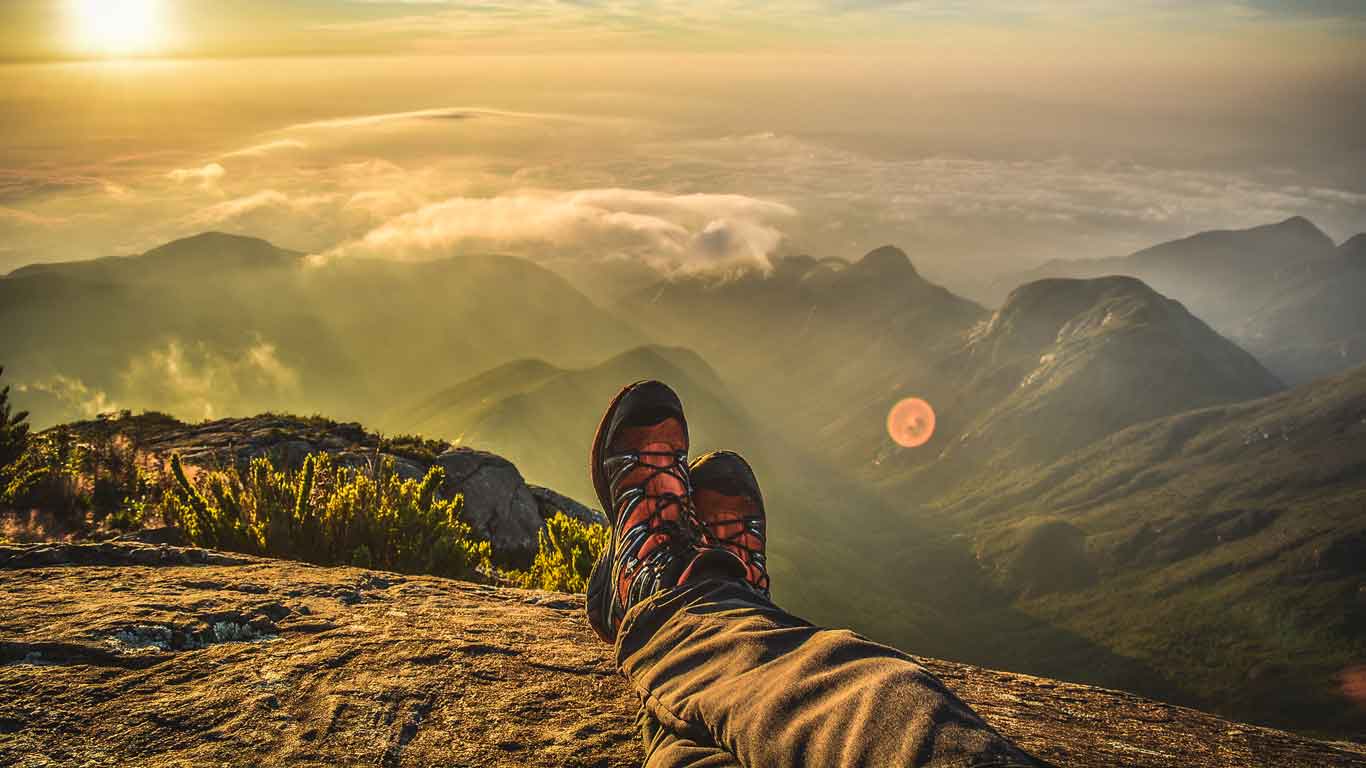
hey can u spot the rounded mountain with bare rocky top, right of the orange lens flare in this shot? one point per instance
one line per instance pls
(1066, 363)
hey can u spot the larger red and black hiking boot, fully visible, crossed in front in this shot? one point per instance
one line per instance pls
(640, 472)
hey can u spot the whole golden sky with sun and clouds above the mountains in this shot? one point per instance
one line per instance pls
(980, 137)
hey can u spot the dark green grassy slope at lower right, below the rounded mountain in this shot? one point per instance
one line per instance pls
(1226, 546)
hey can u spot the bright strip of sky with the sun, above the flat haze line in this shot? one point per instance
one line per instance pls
(59, 29)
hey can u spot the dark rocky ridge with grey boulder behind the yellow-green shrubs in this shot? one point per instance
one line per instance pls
(499, 505)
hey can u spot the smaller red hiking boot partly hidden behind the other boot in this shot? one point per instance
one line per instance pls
(730, 510)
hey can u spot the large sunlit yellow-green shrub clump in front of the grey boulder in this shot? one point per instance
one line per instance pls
(330, 516)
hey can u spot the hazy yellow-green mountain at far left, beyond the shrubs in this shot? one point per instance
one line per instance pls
(223, 325)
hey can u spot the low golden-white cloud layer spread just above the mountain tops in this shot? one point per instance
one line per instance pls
(673, 195)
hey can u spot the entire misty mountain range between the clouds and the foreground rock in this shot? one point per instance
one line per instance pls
(1113, 472)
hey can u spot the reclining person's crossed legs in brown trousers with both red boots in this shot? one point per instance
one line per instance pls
(682, 592)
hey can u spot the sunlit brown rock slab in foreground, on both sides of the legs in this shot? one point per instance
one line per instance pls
(137, 655)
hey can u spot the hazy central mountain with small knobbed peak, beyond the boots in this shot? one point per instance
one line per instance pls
(816, 338)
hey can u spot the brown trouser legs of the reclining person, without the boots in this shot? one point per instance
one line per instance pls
(721, 666)
